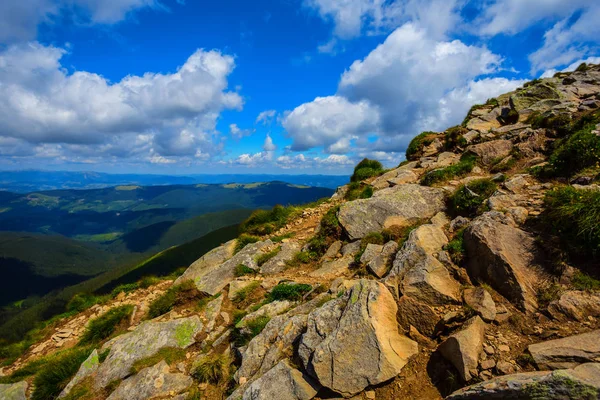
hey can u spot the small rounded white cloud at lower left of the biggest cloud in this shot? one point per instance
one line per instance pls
(327, 120)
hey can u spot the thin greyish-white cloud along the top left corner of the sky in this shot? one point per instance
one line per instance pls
(19, 19)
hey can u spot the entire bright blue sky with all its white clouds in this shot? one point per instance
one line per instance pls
(287, 86)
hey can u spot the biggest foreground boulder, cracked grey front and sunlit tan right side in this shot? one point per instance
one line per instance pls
(353, 341)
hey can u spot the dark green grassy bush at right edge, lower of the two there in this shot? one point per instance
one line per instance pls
(573, 216)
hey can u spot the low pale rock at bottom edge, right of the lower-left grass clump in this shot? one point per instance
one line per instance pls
(152, 382)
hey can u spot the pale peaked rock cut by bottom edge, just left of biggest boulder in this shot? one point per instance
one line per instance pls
(282, 382)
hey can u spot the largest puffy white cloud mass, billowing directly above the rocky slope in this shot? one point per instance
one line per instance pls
(409, 83)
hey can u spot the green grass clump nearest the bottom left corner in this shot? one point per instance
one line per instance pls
(57, 371)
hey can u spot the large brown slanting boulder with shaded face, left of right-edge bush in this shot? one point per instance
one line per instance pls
(502, 255)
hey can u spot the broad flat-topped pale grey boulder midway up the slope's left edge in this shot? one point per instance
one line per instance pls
(401, 205)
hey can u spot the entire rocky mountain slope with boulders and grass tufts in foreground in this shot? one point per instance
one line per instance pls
(465, 273)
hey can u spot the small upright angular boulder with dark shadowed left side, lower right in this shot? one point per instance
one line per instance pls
(464, 347)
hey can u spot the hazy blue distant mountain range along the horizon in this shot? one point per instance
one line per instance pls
(31, 180)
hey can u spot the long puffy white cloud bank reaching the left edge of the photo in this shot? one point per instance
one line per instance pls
(40, 102)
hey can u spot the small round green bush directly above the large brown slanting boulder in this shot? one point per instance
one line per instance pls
(468, 199)
